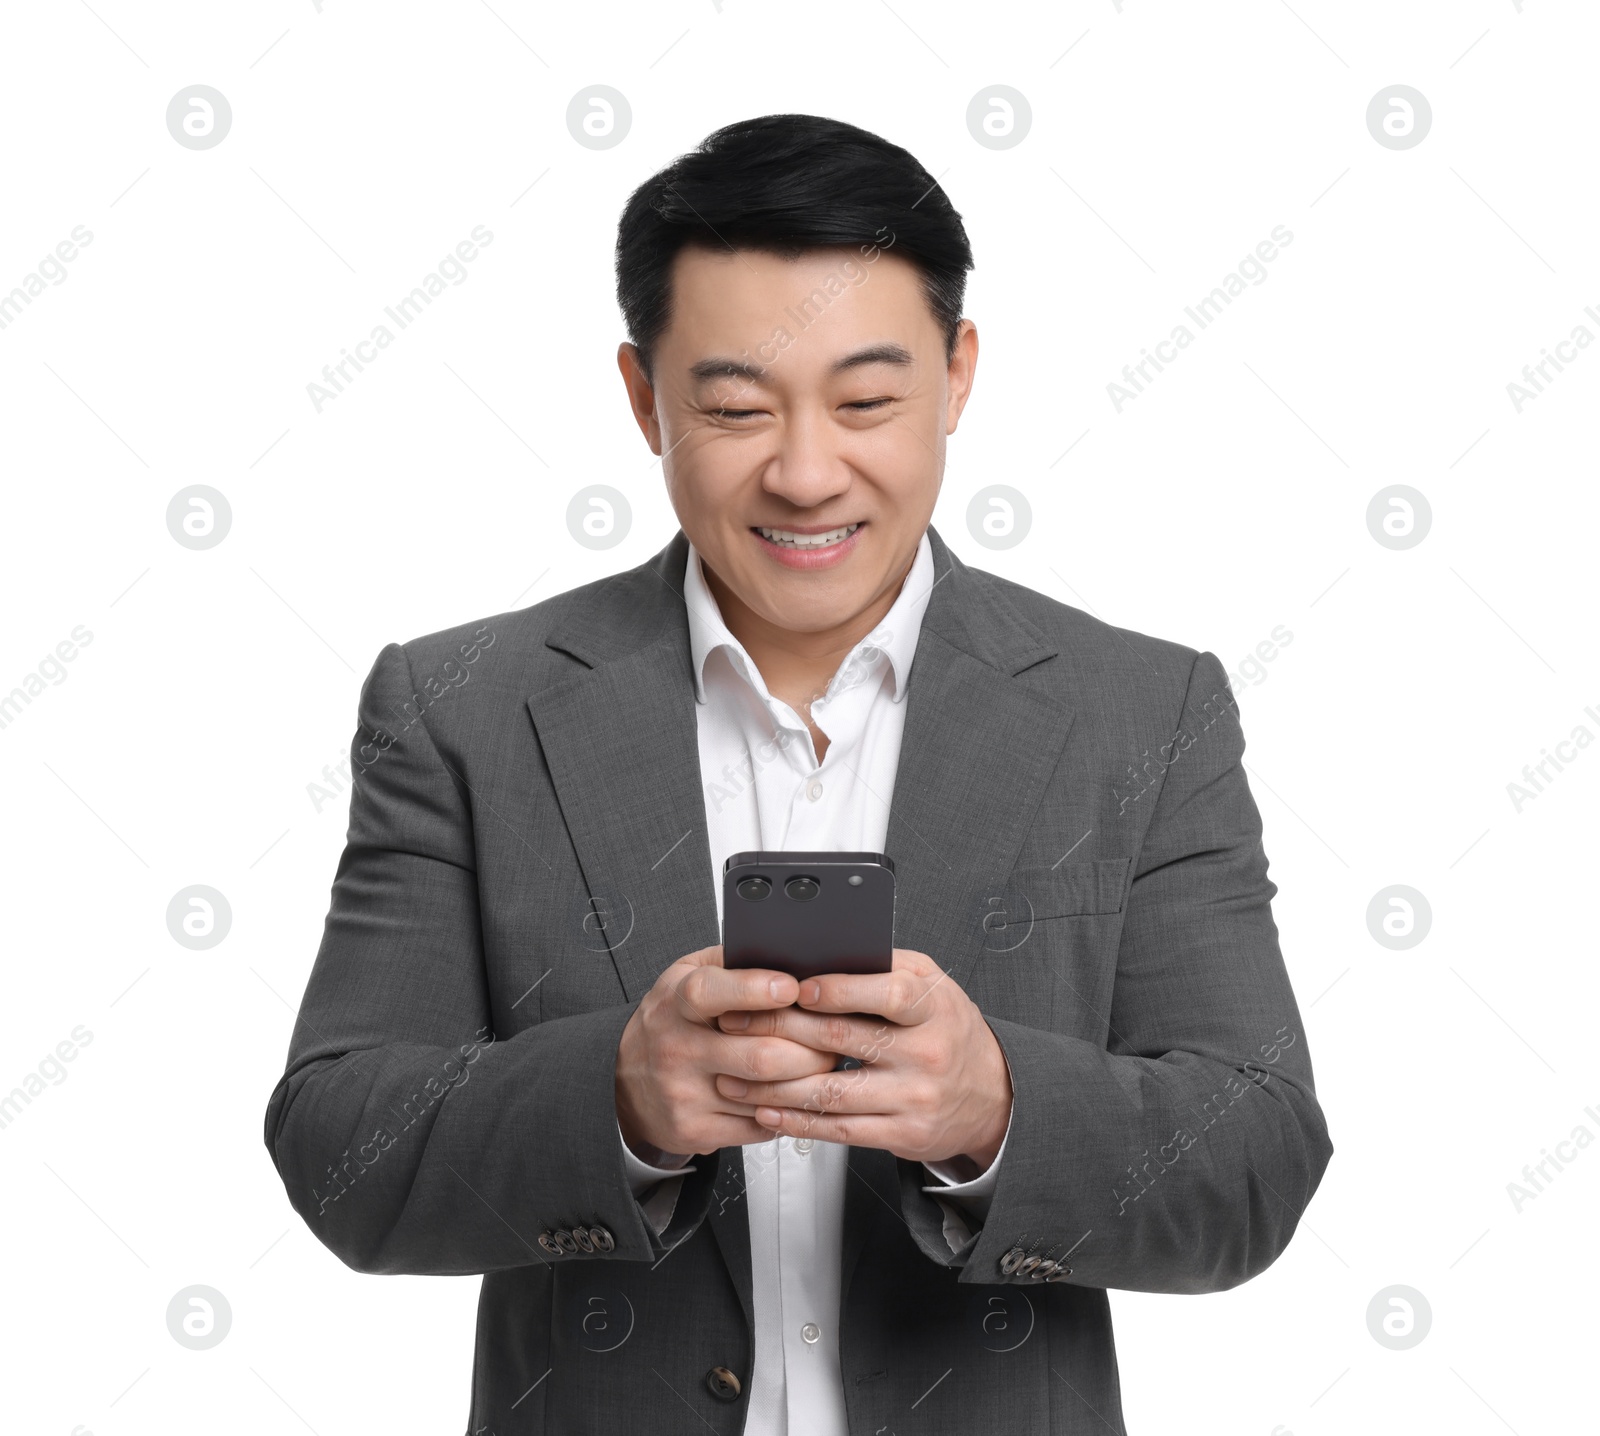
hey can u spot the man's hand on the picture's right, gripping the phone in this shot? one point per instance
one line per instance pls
(932, 1087)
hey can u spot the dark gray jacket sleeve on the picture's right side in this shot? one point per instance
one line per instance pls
(1180, 1155)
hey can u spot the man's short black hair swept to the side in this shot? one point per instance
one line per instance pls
(786, 185)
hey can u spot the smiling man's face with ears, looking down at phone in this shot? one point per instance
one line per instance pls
(801, 410)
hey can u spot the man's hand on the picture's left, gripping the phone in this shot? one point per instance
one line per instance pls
(673, 1051)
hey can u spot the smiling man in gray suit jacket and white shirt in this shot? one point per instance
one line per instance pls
(519, 1053)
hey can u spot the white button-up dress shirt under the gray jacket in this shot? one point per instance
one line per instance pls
(766, 791)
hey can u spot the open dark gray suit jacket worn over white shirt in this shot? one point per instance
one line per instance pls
(1074, 842)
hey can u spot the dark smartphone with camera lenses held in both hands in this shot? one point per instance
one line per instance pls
(809, 914)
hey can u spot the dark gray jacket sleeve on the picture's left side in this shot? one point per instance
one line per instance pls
(410, 1135)
